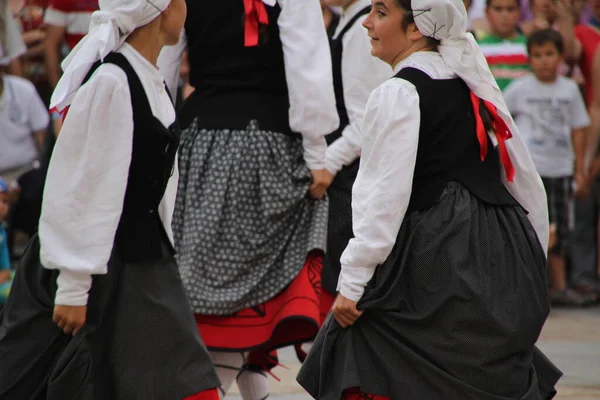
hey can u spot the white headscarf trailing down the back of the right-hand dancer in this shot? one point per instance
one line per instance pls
(446, 20)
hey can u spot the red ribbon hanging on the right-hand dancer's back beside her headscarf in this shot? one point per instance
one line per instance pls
(502, 134)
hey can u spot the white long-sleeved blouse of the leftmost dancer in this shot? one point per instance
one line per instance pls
(87, 178)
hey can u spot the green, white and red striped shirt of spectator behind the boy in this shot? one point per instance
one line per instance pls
(507, 58)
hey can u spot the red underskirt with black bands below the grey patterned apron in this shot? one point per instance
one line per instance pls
(293, 316)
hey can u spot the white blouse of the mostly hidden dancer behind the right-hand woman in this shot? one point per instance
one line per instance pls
(361, 74)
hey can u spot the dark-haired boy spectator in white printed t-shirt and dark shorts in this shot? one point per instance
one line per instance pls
(551, 115)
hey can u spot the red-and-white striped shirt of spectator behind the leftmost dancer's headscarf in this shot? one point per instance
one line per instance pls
(73, 15)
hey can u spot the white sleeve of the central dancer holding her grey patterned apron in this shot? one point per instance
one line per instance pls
(309, 78)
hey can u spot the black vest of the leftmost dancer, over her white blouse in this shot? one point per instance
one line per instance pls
(140, 235)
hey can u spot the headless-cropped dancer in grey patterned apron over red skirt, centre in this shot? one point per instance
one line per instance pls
(250, 221)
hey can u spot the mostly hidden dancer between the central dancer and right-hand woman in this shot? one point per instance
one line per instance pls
(355, 75)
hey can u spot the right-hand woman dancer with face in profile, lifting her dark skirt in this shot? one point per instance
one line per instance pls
(442, 291)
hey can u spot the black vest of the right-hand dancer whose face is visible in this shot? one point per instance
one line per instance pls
(448, 146)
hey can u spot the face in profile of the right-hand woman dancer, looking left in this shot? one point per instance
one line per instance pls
(390, 41)
